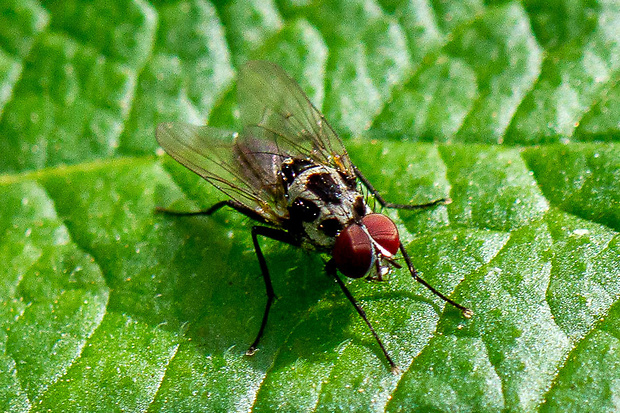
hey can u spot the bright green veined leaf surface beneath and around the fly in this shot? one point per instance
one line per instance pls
(509, 108)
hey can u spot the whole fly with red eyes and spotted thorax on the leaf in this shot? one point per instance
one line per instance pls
(289, 171)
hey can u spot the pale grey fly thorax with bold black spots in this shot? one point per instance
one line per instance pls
(321, 201)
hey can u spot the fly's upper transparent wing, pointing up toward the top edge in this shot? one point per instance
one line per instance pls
(271, 101)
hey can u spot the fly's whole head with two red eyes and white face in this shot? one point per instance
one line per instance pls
(367, 246)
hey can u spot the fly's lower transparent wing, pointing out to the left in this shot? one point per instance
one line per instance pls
(245, 171)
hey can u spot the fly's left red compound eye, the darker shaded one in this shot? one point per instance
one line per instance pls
(353, 252)
